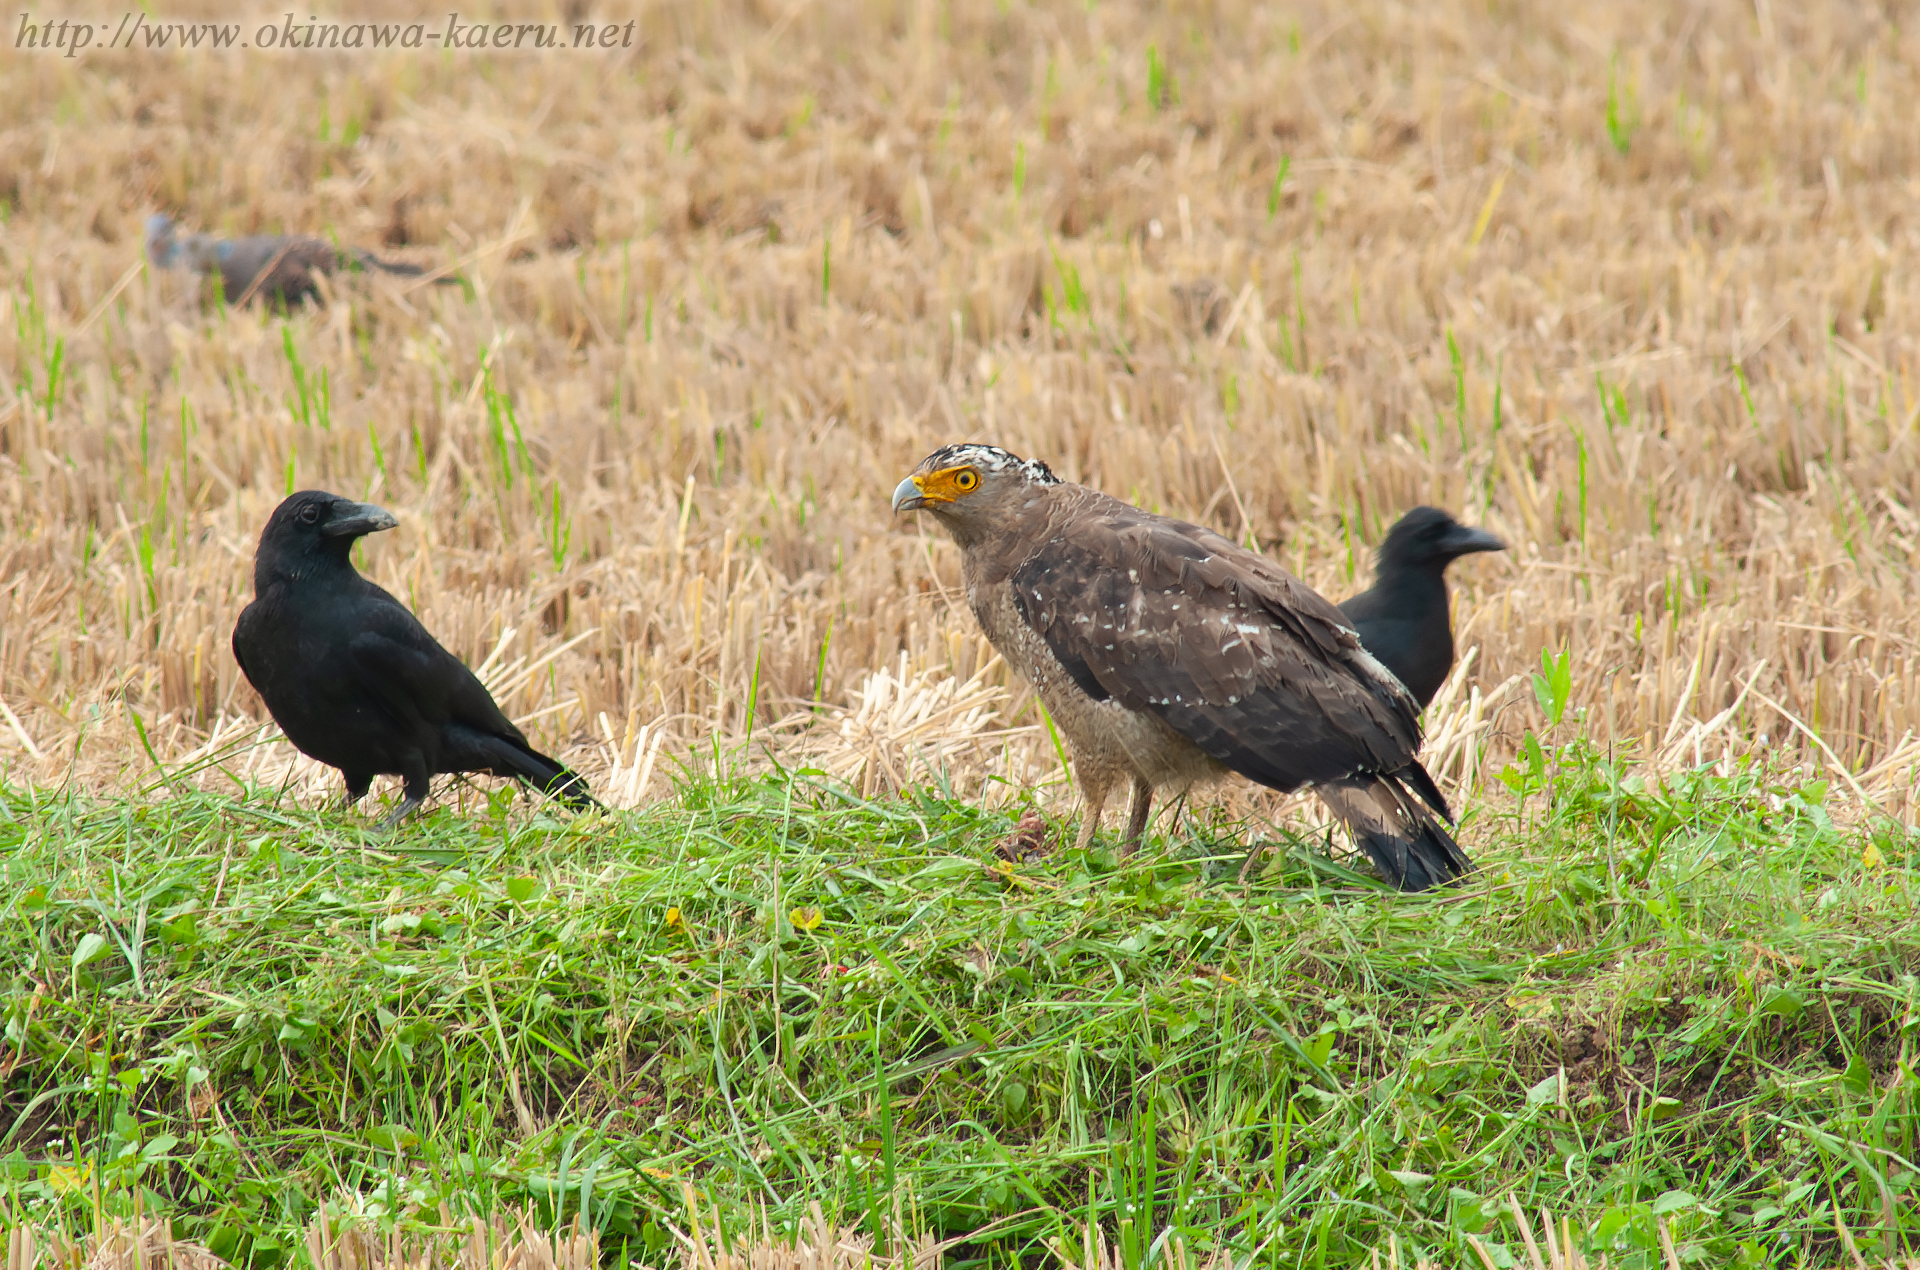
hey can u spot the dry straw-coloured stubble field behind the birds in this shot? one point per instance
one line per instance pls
(1631, 283)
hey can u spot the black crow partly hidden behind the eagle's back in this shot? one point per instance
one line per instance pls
(1404, 618)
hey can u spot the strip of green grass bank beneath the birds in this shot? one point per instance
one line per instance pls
(1687, 1000)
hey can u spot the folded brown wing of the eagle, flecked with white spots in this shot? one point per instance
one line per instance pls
(1251, 666)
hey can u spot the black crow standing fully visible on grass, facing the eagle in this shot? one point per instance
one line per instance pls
(356, 681)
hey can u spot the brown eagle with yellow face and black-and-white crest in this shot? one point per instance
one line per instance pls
(1170, 656)
